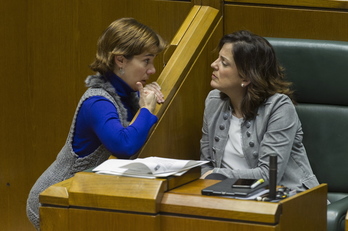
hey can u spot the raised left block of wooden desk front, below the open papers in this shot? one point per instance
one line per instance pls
(116, 193)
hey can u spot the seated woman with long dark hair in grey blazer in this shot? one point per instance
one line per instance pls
(250, 115)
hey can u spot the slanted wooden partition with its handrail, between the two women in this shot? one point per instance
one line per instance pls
(185, 82)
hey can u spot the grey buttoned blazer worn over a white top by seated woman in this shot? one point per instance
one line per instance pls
(275, 130)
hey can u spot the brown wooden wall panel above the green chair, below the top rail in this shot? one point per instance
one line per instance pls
(287, 22)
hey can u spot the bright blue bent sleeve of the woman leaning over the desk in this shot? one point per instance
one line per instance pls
(103, 119)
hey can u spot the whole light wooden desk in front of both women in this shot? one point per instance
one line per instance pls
(101, 202)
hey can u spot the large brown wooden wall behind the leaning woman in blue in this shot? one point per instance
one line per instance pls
(46, 47)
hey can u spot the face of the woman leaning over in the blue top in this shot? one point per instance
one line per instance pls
(138, 69)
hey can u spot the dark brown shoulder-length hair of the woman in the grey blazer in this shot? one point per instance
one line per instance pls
(256, 61)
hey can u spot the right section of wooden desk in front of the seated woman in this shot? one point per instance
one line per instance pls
(186, 206)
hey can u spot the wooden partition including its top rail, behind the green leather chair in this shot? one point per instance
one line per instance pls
(307, 19)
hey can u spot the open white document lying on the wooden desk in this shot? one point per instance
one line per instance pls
(150, 167)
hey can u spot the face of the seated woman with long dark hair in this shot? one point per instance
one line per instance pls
(225, 76)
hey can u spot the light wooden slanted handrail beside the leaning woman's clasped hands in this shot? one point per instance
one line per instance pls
(188, 41)
